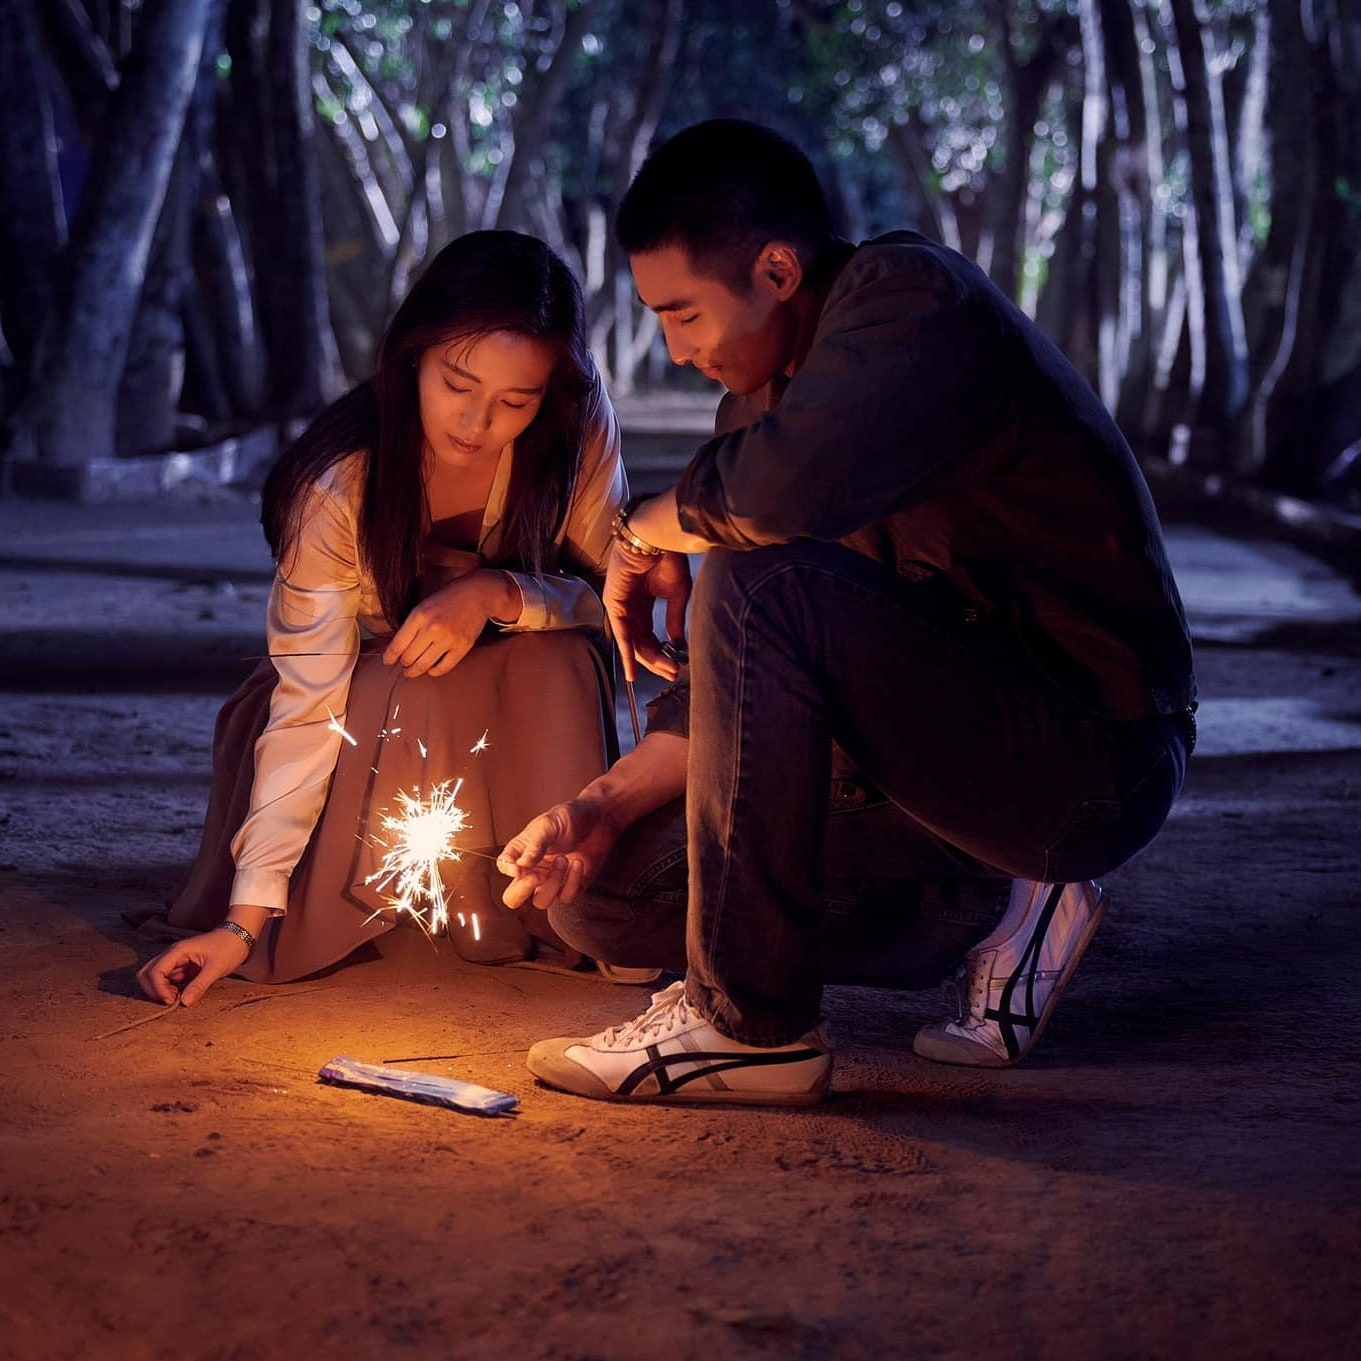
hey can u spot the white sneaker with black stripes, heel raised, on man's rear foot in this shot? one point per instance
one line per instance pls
(1009, 985)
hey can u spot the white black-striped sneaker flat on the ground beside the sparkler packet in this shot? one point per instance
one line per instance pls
(673, 1054)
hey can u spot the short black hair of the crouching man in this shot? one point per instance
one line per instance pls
(721, 191)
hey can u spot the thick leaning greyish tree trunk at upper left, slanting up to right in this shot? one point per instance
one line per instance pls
(69, 417)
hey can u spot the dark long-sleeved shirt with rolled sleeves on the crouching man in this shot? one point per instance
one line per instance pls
(936, 429)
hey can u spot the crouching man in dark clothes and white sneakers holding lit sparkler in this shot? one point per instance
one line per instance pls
(934, 575)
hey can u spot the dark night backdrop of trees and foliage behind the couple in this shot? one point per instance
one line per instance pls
(212, 206)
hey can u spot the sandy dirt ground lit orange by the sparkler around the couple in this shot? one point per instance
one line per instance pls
(1173, 1175)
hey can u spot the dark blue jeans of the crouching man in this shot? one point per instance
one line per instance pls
(977, 771)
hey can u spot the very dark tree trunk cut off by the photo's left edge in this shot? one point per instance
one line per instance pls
(33, 229)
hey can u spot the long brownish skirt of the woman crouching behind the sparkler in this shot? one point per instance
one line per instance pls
(525, 722)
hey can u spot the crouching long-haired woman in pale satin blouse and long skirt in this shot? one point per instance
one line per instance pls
(439, 536)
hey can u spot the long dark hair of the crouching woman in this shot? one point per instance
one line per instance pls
(480, 284)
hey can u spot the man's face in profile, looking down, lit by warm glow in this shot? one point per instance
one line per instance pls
(741, 341)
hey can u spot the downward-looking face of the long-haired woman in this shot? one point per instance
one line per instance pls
(478, 395)
